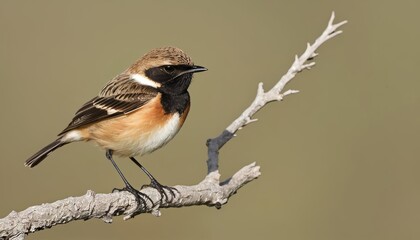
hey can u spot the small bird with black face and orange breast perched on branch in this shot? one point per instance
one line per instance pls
(136, 113)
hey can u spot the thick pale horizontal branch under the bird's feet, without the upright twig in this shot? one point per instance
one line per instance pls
(209, 192)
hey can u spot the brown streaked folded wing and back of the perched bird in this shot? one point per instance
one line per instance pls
(120, 96)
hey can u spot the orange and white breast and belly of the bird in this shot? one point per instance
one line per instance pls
(137, 133)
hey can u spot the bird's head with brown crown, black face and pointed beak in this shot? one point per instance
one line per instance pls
(168, 69)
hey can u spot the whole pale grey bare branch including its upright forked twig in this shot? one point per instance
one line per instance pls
(211, 191)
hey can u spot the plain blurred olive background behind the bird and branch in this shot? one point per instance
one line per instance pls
(339, 160)
